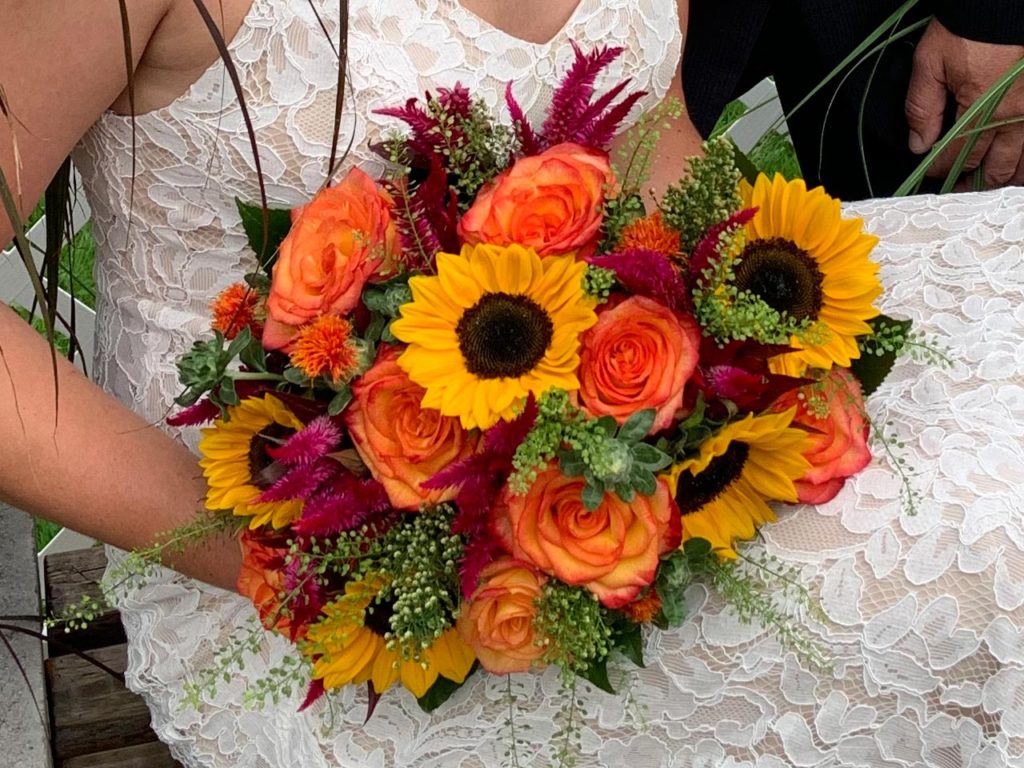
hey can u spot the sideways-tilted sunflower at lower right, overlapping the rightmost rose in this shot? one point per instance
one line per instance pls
(723, 492)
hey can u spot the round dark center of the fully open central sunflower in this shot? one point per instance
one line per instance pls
(504, 336)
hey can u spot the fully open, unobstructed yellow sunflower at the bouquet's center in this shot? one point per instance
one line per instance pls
(497, 324)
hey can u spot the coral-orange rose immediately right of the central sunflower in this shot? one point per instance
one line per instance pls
(641, 355)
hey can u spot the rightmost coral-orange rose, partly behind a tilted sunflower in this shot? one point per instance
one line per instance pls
(838, 442)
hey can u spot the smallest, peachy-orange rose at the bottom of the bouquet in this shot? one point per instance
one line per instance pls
(498, 621)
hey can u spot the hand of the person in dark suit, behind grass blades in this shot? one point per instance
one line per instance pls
(946, 64)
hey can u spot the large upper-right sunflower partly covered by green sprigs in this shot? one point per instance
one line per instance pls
(804, 259)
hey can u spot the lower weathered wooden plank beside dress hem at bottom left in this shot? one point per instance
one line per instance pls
(94, 712)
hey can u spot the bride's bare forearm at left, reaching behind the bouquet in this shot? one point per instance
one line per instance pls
(83, 460)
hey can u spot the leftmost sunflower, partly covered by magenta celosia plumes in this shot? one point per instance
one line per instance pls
(236, 463)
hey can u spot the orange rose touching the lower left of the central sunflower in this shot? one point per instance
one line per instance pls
(403, 443)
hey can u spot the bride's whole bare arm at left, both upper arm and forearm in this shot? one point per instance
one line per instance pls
(81, 460)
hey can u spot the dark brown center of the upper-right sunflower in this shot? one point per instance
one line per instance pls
(784, 276)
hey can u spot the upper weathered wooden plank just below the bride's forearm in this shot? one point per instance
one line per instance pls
(69, 577)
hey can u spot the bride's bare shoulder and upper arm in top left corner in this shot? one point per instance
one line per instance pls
(63, 65)
